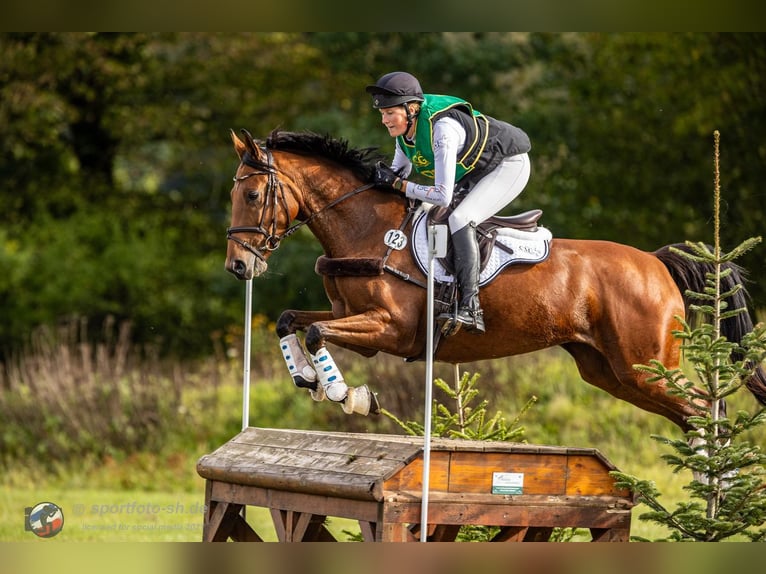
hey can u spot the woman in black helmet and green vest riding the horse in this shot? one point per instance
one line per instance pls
(478, 165)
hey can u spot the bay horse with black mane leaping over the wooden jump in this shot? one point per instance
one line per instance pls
(610, 306)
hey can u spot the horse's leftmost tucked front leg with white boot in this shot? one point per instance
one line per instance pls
(303, 374)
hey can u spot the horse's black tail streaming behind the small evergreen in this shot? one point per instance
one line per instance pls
(691, 276)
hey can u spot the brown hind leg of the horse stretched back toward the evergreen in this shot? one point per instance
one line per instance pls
(631, 386)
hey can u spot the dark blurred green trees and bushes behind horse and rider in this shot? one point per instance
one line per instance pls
(115, 159)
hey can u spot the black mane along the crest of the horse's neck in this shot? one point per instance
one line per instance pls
(359, 161)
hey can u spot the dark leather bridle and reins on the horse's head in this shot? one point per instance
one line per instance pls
(275, 195)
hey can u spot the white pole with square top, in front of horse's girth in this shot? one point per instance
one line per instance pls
(437, 247)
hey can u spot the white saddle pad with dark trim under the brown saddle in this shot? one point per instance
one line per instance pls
(527, 247)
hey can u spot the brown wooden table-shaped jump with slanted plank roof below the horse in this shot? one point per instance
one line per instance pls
(303, 477)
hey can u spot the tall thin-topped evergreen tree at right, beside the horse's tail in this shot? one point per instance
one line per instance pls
(727, 492)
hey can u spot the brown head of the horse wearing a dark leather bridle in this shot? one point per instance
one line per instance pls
(260, 213)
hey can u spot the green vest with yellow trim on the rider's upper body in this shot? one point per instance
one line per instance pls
(421, 153)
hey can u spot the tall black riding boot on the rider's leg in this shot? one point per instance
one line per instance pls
(466, 260)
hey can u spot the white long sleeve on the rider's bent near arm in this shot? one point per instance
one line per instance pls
(449, 137)
